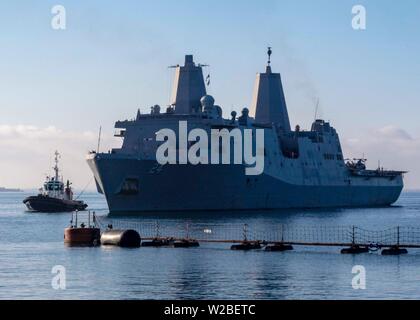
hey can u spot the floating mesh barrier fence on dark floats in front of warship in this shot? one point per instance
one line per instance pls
(354, 240)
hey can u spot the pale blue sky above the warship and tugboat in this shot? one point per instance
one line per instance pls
(113, 58)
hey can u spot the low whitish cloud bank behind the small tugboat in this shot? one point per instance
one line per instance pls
(28, 151)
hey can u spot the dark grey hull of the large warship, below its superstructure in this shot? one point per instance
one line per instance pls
(226, 188)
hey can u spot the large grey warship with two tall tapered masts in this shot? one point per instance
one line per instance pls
(302, 169)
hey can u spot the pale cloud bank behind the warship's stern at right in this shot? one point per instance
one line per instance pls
(392, 147)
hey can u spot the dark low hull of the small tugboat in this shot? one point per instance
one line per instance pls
(48, 204)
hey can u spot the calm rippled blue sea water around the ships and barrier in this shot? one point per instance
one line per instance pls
(32, 243)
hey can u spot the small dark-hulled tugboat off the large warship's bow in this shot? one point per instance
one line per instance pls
(55, 196)
